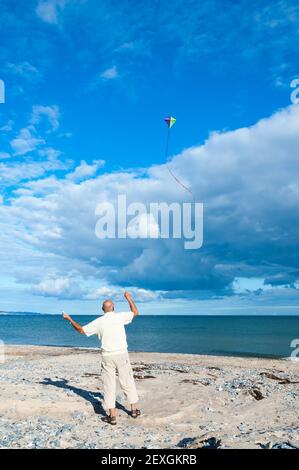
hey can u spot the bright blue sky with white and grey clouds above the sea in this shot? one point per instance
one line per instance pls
(88, 84)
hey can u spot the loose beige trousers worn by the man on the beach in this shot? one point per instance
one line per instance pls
(119, 363)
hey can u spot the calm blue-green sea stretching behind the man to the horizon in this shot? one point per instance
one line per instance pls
(218, 335)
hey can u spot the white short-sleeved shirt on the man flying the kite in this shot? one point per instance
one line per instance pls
(110, 329)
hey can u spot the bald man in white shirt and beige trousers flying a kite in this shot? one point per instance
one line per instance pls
(114, 350)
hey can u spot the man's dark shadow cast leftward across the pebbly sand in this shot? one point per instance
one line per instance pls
(95, 398)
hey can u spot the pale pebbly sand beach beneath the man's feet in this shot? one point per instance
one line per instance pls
(52, 398)
